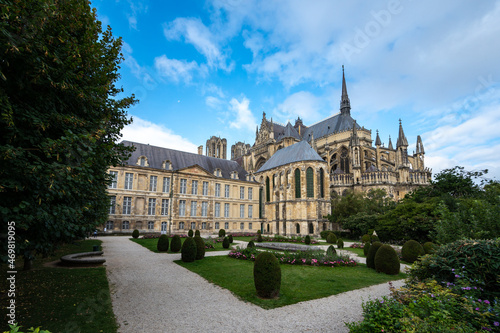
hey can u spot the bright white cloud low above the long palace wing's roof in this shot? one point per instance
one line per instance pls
(143, 131)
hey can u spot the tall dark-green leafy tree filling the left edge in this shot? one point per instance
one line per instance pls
(60, 117)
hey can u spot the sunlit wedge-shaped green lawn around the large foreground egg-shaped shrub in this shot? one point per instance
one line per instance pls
(298, 283)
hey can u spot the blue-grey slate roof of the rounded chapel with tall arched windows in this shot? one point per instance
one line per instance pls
(300, 151)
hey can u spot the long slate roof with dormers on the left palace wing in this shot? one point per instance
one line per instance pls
(181, 159)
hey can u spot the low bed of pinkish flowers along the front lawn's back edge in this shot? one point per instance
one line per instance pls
(311, 258)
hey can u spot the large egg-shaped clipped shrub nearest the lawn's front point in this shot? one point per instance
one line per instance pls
(267, 275)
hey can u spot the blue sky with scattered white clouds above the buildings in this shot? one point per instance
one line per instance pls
(211, 68)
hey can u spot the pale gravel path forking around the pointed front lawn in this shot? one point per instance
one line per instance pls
(152, 294)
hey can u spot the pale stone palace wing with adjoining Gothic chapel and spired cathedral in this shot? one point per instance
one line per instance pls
(282, 184)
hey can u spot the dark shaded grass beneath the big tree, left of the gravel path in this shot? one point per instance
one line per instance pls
(62, 299)
